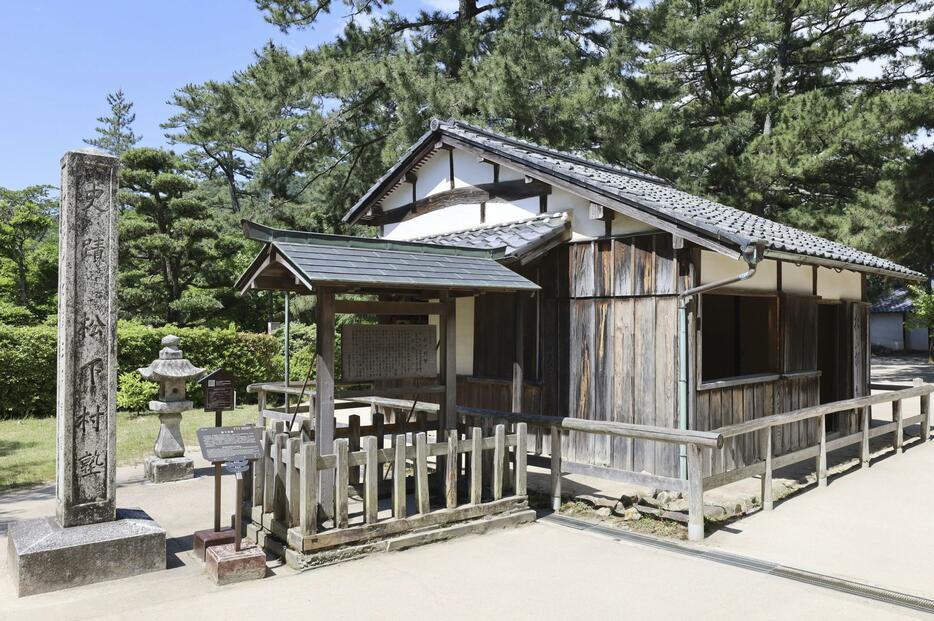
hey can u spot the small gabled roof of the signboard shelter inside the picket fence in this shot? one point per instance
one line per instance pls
(336, 260)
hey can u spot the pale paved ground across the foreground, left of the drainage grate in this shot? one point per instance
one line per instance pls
(535, 572)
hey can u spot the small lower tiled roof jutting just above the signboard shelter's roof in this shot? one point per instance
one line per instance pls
(516, 238)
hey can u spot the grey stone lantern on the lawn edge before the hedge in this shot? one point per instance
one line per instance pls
(171, 370)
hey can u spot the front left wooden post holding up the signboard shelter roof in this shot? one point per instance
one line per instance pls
(324, 392)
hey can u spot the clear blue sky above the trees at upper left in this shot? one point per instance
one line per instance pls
(60, 58)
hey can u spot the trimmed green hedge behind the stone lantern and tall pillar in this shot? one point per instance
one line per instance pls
(28, 357)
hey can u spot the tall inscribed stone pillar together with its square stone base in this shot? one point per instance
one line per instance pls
(89, 540)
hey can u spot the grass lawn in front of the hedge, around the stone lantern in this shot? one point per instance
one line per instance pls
(27, 446)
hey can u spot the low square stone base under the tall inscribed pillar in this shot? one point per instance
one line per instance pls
(42, 556)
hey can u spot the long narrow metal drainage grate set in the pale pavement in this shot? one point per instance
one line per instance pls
(821, 580)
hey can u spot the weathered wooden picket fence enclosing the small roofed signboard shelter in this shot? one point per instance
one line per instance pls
(288, 501)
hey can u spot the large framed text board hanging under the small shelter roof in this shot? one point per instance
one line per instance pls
(374, 352)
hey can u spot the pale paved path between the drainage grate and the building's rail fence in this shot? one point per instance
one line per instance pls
(871, 526)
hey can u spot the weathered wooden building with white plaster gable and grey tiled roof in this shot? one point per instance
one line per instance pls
(656, 307)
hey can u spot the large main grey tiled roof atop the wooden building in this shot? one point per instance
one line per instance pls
(647, 193)
